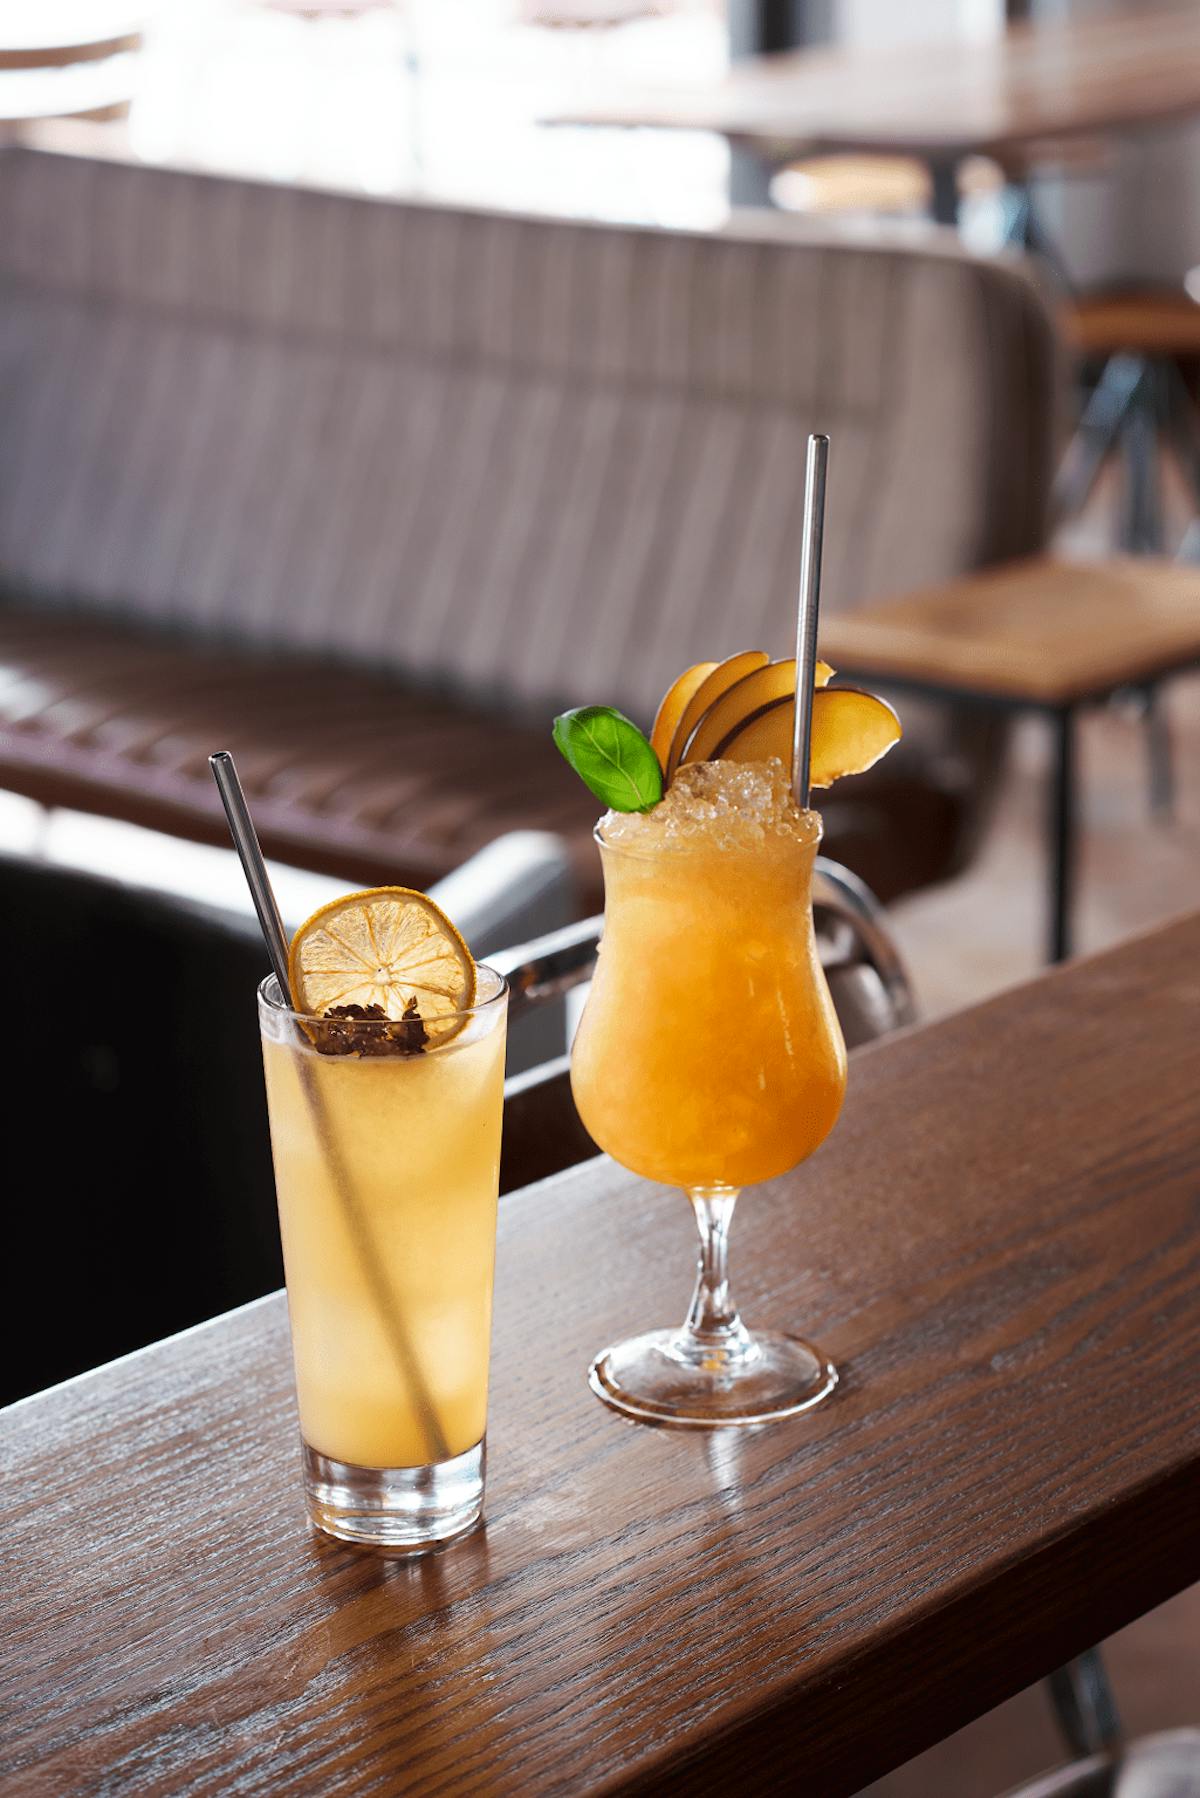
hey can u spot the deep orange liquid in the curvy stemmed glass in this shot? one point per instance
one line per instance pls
(710, 1053)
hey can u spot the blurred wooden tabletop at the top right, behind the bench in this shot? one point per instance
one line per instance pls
(940, 102)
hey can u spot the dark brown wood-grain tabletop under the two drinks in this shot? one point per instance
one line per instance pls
(999, 1245)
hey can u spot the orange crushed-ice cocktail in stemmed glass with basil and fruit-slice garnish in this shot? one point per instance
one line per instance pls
(710, 1055)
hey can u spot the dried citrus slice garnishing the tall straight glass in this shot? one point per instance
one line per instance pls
(386, 947)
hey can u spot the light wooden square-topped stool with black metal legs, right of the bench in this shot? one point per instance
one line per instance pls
(1041, 636)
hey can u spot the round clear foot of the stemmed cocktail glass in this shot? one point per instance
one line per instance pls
(667, 1378)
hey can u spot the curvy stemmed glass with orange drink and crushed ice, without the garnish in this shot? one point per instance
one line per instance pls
(710, 1058)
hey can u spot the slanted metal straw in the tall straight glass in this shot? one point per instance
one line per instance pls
(370, 1256)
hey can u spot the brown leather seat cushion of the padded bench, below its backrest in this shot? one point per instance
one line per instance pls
(352, 772)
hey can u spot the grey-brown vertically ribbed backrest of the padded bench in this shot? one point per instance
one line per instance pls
(524, 458)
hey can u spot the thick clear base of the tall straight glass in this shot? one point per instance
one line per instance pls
(395, 1508)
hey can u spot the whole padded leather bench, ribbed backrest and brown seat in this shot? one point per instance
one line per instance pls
(366, 492)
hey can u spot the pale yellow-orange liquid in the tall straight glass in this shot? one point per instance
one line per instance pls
(420, 1143)
